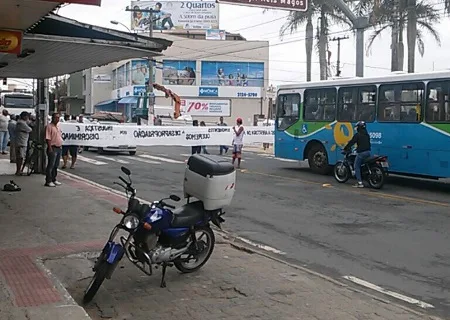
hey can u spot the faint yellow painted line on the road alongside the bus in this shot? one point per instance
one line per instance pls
(376, 194)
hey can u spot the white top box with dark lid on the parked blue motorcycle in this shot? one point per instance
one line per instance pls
(210, 179)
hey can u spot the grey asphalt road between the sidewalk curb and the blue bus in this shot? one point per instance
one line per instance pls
(397, 238)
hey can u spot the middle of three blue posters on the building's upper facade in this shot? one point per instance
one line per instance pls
(179, 72)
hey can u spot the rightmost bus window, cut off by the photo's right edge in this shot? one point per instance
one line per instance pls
(438, 101)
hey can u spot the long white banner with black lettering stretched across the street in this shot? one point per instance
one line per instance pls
(98, 135)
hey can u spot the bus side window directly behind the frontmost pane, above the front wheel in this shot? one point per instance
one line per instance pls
(320, 104)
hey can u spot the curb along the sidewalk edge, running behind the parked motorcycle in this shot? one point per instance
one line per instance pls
(234, 242)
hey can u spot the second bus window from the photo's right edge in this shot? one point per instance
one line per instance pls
(401, 102)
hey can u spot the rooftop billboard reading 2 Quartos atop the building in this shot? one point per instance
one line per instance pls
(175, 15)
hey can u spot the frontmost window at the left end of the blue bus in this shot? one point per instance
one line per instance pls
(288, 110)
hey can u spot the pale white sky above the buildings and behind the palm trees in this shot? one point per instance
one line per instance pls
(287, 55)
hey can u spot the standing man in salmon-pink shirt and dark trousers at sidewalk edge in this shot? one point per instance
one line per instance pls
(53, 136)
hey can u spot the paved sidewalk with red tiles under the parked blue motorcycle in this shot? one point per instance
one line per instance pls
(43, 229)
